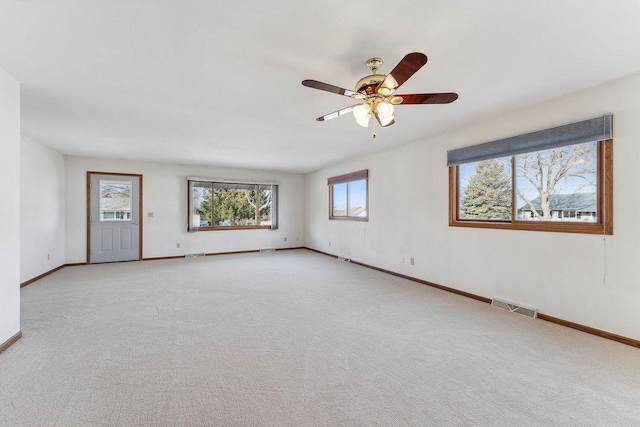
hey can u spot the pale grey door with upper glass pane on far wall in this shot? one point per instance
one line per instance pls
(114, 218)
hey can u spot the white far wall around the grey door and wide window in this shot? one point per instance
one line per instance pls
(165, 194)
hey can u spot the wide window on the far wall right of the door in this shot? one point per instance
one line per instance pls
(230, 206)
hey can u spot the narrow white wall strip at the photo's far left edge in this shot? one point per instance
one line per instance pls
(10, 211)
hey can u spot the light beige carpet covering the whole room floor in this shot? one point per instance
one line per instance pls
(295, 338)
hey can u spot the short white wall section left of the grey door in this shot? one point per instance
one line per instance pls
(41, 209)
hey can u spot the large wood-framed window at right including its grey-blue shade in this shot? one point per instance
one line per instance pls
(566, 187)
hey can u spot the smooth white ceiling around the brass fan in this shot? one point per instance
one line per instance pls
(219, 83)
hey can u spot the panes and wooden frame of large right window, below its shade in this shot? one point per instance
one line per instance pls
(568, 188)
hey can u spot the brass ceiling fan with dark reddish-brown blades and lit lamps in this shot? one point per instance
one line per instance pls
(376, 92)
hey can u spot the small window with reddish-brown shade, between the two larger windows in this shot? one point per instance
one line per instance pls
(348, 196)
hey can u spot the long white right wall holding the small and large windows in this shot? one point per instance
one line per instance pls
(561, 274)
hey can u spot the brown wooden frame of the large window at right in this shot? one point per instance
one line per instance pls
(604, 194)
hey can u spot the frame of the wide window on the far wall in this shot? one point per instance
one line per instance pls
(213, 226)
